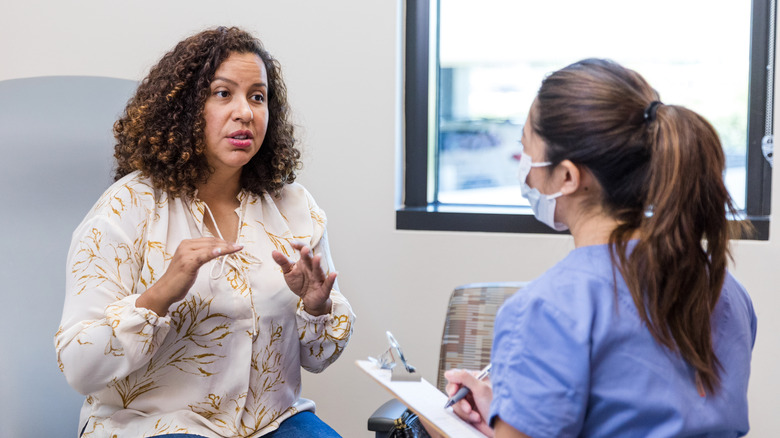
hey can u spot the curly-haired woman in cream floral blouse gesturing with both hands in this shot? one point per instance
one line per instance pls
(201, 281)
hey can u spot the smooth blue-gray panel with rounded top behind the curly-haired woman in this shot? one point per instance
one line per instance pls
(56, 148)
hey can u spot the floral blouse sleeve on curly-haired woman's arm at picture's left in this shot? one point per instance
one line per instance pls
(103, 337)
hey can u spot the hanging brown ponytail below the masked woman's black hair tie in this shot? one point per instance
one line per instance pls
(680, 274)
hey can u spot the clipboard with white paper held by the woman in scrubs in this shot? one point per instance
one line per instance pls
(423, 399)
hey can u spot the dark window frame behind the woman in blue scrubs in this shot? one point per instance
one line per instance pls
(417, 213)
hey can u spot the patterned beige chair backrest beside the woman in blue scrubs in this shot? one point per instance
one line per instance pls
(468, 328)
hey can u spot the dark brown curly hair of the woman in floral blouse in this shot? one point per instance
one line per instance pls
(161, 132)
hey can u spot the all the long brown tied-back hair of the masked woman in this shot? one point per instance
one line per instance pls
(662, 180)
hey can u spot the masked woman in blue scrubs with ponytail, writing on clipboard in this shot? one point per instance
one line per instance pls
(640, 330)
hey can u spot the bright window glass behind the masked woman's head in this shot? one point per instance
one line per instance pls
(493, 55)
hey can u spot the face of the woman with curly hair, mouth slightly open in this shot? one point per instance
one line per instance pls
(236, 112)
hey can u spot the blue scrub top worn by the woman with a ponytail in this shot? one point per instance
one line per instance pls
(570, 358)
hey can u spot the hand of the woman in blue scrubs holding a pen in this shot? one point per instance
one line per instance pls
(475, 407)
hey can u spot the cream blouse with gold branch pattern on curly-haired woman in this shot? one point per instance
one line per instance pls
(226, 360)
